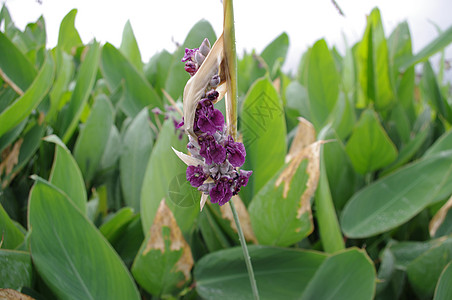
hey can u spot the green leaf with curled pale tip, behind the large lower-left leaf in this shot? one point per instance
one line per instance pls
(66, 174)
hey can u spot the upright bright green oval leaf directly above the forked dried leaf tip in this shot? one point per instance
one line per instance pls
(322, 83)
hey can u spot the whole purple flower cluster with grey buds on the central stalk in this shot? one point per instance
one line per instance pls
(218, 175)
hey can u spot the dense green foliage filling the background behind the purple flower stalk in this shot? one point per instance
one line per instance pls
(95, 205)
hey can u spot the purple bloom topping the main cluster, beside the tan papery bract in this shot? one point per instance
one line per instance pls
(210, 120)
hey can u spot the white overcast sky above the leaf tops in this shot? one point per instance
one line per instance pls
(157, 24)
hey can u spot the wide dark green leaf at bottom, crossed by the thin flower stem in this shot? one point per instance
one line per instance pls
(294, 269)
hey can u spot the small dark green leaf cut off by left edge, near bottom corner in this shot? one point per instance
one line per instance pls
(16, 271)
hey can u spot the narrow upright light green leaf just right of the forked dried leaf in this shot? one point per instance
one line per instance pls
(328, 225)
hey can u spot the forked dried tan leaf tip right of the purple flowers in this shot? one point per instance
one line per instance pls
(303, 148)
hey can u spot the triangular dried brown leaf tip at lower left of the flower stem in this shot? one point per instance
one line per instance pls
(158, 241)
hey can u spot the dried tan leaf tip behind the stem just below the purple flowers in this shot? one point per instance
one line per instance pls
(244, 218)
